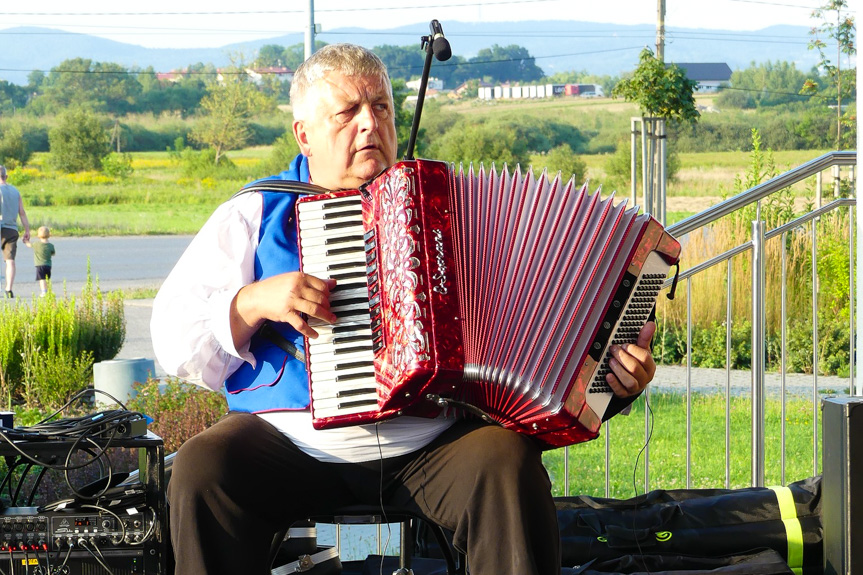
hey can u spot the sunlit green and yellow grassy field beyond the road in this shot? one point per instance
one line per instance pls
(158, 199)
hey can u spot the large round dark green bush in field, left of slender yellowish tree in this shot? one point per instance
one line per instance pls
(78, 142)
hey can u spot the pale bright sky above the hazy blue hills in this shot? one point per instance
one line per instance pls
(209, 24)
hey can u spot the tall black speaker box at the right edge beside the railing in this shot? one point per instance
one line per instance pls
(842, 484)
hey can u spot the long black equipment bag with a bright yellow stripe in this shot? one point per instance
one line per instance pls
(703, 522)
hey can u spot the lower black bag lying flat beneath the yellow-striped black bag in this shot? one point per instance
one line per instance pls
(756, 562)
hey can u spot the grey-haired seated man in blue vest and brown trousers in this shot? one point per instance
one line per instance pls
(263, 466)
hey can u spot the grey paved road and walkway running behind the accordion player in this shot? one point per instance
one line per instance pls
(145, 261)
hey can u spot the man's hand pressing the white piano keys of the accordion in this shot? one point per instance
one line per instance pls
(282, 298)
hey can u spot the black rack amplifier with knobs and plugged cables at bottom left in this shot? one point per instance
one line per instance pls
(77, 542)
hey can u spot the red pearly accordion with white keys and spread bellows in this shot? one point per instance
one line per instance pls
(492, 293)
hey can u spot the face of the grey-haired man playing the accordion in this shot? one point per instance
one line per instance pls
(349, 134)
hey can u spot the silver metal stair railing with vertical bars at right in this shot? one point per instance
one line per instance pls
(755, 247)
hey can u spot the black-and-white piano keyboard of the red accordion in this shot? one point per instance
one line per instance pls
(341, 358)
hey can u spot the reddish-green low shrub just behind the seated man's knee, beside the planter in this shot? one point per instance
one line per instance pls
(179, 410)
